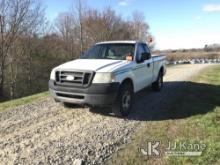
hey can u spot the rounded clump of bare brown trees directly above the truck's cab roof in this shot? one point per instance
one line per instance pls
(106, 25)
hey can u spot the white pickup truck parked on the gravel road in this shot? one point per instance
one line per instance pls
(108, 74)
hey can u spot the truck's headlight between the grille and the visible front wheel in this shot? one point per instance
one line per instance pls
(104, 78)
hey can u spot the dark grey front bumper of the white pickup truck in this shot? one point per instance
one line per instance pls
(95, 94)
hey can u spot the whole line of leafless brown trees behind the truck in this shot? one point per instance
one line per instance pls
(30, 46)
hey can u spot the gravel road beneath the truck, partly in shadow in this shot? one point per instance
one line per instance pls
(44, 132)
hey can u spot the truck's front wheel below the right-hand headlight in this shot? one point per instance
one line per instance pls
(124, 101)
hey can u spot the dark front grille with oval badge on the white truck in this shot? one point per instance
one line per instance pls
(74, 78)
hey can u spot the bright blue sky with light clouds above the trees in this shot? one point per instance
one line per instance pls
(175, 24)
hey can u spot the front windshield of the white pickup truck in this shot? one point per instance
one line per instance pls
(109, 51)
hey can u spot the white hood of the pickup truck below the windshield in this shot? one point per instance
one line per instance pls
(92, 65)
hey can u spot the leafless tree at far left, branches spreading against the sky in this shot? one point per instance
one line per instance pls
(16, 18)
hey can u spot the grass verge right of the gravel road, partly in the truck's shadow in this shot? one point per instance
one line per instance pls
(194, 116)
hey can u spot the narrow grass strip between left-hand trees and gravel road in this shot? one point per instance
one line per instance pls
(22, 101)
